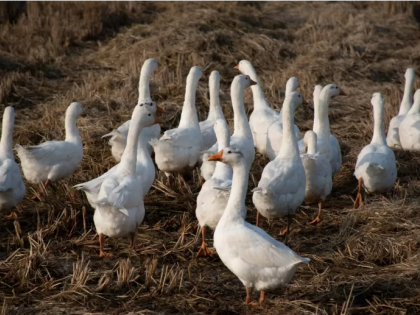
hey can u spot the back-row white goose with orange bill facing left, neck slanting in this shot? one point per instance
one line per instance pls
(263, 115)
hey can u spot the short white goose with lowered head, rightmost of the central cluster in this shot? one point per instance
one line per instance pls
(318, 174)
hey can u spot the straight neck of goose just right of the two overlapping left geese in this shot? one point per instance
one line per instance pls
(189, 116)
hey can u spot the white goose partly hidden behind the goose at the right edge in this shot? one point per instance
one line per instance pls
(393, 138)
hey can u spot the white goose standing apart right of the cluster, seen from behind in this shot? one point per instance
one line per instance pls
(375, 167)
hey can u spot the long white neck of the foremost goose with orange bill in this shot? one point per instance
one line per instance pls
(235, 208)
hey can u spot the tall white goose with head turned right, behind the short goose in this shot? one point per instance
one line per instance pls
(327, 144)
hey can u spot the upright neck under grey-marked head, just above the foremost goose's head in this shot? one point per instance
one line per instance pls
(240, 121)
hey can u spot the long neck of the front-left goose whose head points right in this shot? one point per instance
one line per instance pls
(129, 157)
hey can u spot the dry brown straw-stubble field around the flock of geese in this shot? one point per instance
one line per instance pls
(363, 261)
